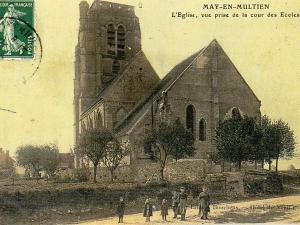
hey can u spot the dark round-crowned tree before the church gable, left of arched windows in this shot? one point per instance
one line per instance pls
(169, 140)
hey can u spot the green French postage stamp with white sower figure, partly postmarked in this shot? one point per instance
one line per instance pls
(17, 34)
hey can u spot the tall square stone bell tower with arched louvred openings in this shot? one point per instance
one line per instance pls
(109, 36)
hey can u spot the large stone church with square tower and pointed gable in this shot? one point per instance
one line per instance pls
(116, 87)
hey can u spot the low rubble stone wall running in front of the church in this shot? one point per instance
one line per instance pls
(183, 171)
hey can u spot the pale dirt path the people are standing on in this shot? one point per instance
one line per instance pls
(273, 210)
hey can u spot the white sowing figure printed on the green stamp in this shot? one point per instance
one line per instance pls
(11, 43)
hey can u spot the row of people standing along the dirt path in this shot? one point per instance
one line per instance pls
(178, 205)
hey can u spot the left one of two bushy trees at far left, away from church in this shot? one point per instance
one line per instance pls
(29, 156)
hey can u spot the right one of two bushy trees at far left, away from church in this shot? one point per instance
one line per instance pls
(50, 159)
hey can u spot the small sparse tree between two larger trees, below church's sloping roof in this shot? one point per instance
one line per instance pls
(113, 156)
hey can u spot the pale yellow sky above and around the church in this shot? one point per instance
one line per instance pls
(266, 52)
